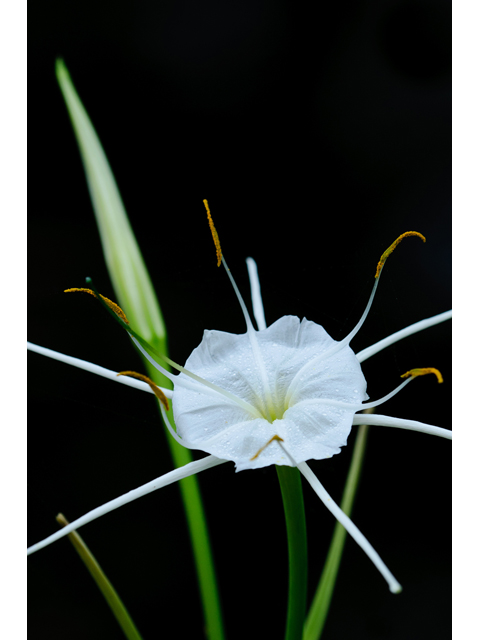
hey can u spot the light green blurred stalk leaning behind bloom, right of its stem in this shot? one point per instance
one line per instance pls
(317, 615)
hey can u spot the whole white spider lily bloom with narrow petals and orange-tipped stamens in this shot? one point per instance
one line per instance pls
(282, 394)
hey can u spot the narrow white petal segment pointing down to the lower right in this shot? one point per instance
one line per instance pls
(359, 538)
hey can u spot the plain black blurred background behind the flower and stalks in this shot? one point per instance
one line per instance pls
(318, 136)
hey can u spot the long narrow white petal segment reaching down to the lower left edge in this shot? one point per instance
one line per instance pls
(168, 478)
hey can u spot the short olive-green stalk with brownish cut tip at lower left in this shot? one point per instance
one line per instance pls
(111, 596)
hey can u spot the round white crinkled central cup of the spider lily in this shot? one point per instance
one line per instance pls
(310, 430)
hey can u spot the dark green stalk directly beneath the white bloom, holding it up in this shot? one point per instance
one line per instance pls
(291, 487)
